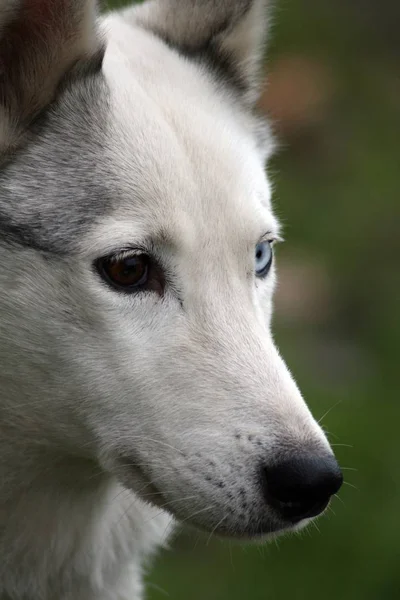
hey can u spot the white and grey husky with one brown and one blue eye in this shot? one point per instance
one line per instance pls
(140, 385)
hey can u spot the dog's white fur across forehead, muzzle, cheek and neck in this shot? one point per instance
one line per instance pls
(140, 400)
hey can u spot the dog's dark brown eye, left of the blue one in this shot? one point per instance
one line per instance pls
(126, 273)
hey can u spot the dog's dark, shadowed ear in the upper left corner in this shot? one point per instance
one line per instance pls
(40, 40)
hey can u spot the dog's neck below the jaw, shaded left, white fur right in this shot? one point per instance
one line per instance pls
(70, 527)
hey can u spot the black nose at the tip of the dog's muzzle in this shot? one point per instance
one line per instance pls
(301, 487)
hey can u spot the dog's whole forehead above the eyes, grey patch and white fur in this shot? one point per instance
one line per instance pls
(146, 145)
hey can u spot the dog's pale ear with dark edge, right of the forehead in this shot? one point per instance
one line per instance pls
(228, 35)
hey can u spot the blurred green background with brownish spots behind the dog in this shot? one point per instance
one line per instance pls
(333, 92)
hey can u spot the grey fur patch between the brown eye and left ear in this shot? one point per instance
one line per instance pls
(51, 189)
